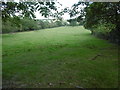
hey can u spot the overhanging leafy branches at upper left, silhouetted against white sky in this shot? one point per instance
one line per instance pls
(27, 9)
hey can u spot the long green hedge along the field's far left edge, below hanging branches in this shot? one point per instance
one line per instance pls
(16, 24)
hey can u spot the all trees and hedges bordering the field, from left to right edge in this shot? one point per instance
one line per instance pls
(102, 18)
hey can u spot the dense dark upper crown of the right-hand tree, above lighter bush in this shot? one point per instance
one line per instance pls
(102, 12)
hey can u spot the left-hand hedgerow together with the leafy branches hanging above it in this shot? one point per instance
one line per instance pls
(25, 20)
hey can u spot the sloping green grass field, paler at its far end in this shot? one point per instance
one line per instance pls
(59, 57)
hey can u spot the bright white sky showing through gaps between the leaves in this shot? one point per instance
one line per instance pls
(65, 3)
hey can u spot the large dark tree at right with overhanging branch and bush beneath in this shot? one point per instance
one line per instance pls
(101, 18)
